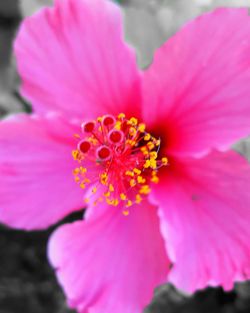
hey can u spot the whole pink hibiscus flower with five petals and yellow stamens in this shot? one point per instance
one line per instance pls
(151, 152)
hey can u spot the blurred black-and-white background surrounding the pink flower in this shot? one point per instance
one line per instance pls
(27, 284)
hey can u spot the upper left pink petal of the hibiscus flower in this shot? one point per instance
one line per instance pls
(72, 58)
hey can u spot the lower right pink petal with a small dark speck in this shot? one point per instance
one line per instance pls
(205, 214)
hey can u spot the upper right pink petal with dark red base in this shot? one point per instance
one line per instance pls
(197, 89)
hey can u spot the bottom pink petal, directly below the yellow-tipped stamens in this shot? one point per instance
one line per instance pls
(113, 263)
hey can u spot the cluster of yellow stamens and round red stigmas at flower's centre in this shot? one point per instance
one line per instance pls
(124, 157)
